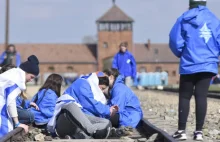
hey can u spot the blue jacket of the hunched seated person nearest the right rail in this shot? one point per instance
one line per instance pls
(130, 112)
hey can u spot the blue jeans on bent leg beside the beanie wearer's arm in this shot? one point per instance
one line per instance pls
(25, 116)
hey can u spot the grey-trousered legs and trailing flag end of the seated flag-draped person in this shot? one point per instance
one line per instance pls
(70, 121)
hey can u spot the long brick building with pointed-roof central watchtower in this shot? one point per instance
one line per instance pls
(113, 28)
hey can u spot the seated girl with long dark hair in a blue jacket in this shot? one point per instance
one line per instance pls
(43, 103)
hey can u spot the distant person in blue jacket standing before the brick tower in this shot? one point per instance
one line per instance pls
(124, 61)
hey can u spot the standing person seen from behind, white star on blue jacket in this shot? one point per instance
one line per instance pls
(195, 40)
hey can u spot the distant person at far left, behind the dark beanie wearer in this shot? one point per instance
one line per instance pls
(10, 56)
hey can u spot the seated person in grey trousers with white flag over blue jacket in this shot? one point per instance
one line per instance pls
(89, 105)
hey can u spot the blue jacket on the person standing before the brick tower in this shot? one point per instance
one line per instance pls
(125, 63)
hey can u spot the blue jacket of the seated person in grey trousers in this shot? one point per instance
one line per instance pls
(81, 91)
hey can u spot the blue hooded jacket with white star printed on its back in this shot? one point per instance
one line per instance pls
(195, 40)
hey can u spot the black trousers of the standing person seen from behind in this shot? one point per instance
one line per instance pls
(198, 84)
